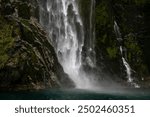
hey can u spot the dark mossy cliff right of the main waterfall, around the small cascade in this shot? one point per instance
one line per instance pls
(132, 17)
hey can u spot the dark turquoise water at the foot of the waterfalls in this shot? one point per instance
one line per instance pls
(77, 94)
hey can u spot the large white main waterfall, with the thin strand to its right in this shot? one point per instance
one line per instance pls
(63, 22)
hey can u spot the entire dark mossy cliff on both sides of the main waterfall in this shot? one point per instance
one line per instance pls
(28, 61)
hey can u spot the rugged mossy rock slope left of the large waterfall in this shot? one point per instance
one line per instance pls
(27, 59)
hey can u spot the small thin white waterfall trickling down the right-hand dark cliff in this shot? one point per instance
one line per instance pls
(125, 63)
